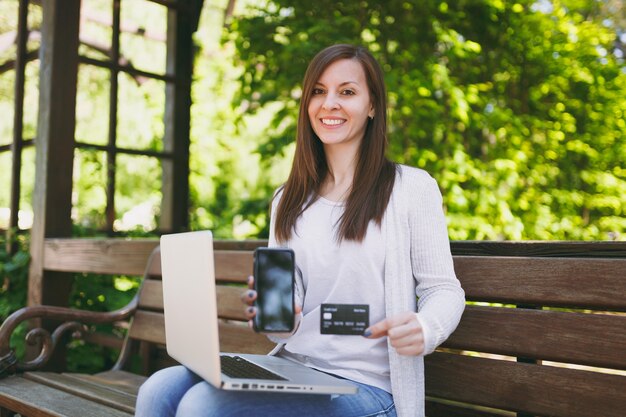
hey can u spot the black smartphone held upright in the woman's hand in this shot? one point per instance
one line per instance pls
(274, 281)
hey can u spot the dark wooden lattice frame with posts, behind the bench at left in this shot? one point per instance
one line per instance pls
(56, 143)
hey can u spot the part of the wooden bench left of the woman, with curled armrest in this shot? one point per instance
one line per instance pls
(113, 393)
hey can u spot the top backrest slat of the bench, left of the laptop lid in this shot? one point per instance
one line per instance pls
(100, 256)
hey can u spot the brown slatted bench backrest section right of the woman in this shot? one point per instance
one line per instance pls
(541, 336)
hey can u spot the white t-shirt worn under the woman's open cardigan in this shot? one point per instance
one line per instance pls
(339, 273)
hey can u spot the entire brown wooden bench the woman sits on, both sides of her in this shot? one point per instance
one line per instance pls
(544, 333)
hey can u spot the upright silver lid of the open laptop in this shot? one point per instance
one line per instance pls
(189, 300)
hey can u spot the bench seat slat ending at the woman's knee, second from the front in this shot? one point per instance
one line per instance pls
(89, 390)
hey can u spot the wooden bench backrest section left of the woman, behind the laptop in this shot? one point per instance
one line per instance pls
(233, 264)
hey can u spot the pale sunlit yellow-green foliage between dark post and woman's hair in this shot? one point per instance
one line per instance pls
(229, 183)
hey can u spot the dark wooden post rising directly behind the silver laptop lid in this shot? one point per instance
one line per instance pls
(175, 204)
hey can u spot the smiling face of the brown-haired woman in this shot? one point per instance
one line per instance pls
(340, 104)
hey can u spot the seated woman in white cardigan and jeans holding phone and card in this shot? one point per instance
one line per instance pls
(365, 231)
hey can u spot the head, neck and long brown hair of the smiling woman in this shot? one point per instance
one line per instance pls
(343, 83)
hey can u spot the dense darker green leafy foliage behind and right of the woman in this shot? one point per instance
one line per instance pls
(517, 109)
